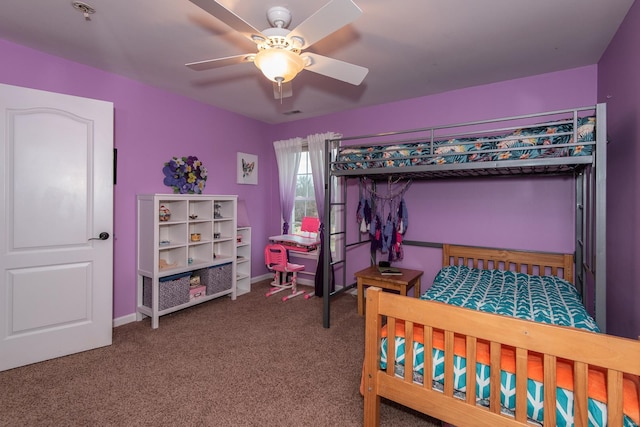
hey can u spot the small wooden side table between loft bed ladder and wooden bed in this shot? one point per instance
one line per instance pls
(402, 282)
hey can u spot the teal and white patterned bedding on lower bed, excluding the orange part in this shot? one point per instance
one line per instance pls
(545, 299)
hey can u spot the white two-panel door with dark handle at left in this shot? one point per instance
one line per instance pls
(56, 164)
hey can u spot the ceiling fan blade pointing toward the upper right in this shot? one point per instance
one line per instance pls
(331, 17)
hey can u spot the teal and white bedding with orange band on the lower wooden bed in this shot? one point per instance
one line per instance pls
(545, 299)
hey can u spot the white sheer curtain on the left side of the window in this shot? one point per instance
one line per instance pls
(288, 154)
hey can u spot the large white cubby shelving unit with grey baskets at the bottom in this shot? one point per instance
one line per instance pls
(198, 239)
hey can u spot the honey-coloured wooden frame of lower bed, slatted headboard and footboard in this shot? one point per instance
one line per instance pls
(618, 356)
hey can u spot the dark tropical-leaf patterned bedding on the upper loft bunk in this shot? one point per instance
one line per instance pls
(537, 142)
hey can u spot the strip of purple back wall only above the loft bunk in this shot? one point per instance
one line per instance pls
(564, 89)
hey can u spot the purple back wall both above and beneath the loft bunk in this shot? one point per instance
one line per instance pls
(479, 211)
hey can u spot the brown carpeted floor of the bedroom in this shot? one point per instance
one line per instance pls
(255, 361)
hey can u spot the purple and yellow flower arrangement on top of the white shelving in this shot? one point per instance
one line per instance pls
(186, 175)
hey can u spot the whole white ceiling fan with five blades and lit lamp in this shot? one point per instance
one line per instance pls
(280, 54)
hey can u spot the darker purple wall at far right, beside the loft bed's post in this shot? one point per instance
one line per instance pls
(619, 87)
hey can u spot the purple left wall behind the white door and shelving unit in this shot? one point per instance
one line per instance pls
(151, 126)
